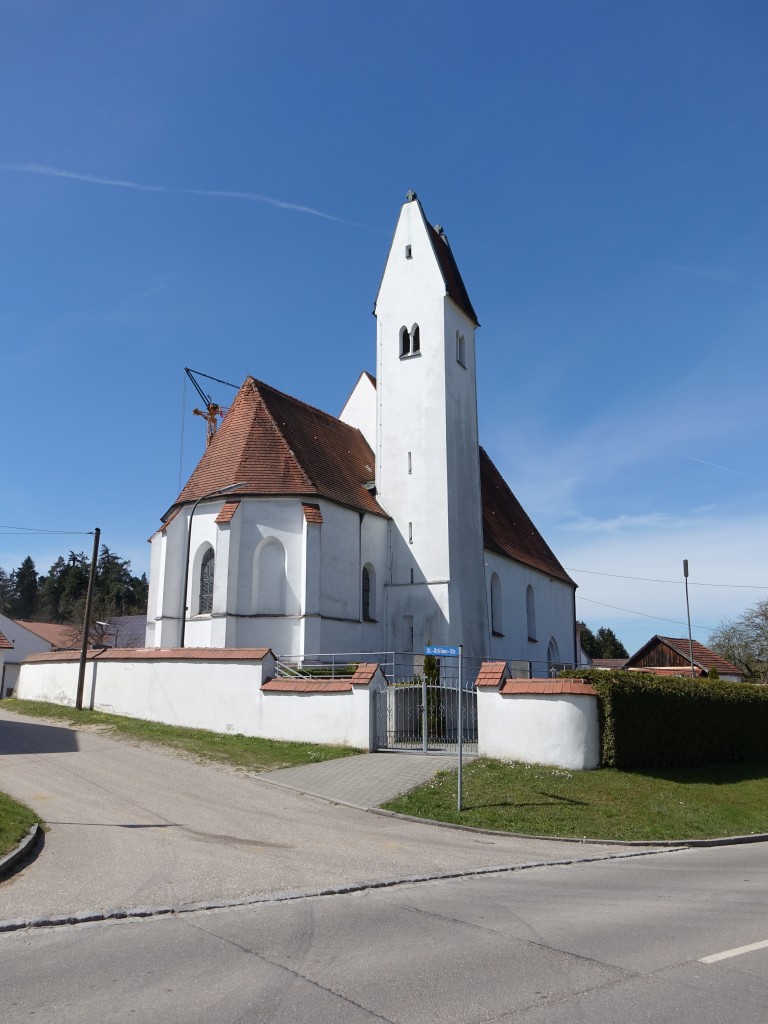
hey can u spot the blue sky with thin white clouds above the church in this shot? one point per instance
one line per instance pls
(215, 185)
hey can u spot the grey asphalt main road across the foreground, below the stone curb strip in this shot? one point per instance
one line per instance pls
(603, 943)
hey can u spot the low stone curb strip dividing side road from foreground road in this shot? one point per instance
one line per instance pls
(135, 914)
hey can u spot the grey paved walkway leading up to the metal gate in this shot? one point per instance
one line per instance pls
(364, 781)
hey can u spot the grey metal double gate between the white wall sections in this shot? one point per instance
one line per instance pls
(423, 716)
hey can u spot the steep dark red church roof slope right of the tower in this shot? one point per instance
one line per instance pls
(507, 529)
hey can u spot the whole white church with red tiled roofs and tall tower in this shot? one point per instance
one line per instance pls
(386, 529)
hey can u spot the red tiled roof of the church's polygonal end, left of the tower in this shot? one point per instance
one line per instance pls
(276, 445)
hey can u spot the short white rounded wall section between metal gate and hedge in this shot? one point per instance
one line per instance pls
(560, 730)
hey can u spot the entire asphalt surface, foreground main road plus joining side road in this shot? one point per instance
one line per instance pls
(616, 938)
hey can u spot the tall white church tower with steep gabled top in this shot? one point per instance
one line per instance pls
(428, 461)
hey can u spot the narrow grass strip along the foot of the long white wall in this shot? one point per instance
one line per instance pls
(249, 753)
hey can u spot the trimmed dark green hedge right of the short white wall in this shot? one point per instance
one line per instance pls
(653, 721)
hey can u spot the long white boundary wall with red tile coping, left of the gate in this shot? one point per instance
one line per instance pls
(201, 690)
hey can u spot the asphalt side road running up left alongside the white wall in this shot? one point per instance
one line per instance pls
(136, 827)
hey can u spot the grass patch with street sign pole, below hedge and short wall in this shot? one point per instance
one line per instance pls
(662, 804)
